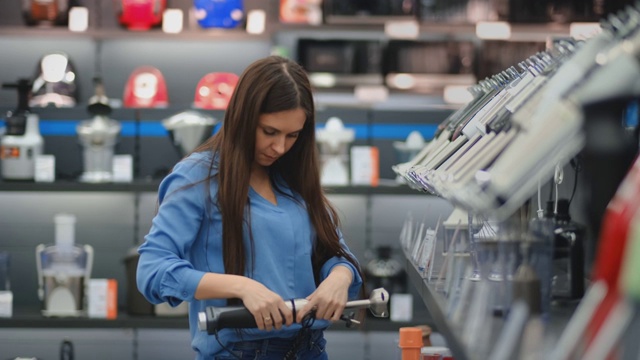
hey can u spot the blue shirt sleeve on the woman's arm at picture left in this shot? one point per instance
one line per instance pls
(165, 274)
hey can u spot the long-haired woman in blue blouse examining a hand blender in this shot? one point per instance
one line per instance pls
(244, 218)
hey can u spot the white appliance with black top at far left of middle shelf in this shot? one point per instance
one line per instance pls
(22, 142)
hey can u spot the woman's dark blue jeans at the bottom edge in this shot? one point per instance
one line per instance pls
(276, 348)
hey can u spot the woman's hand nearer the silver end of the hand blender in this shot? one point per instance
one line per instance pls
(330, 297)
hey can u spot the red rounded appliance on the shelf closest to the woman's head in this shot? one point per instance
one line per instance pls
(214, 90)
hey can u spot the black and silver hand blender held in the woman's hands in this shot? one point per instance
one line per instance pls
(216, 318)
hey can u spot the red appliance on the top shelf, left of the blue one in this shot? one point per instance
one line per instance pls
(140, 15)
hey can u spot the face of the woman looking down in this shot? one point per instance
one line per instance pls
(276, 133)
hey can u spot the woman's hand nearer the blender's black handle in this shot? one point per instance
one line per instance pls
(268, 308)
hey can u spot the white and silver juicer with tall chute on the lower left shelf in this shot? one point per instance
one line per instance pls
(63, 270)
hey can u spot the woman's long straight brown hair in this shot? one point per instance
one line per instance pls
(270, 85)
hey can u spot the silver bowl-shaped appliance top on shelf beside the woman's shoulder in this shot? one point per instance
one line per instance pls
(188, 129)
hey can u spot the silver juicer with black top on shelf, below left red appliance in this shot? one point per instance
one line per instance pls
(98, 138)
